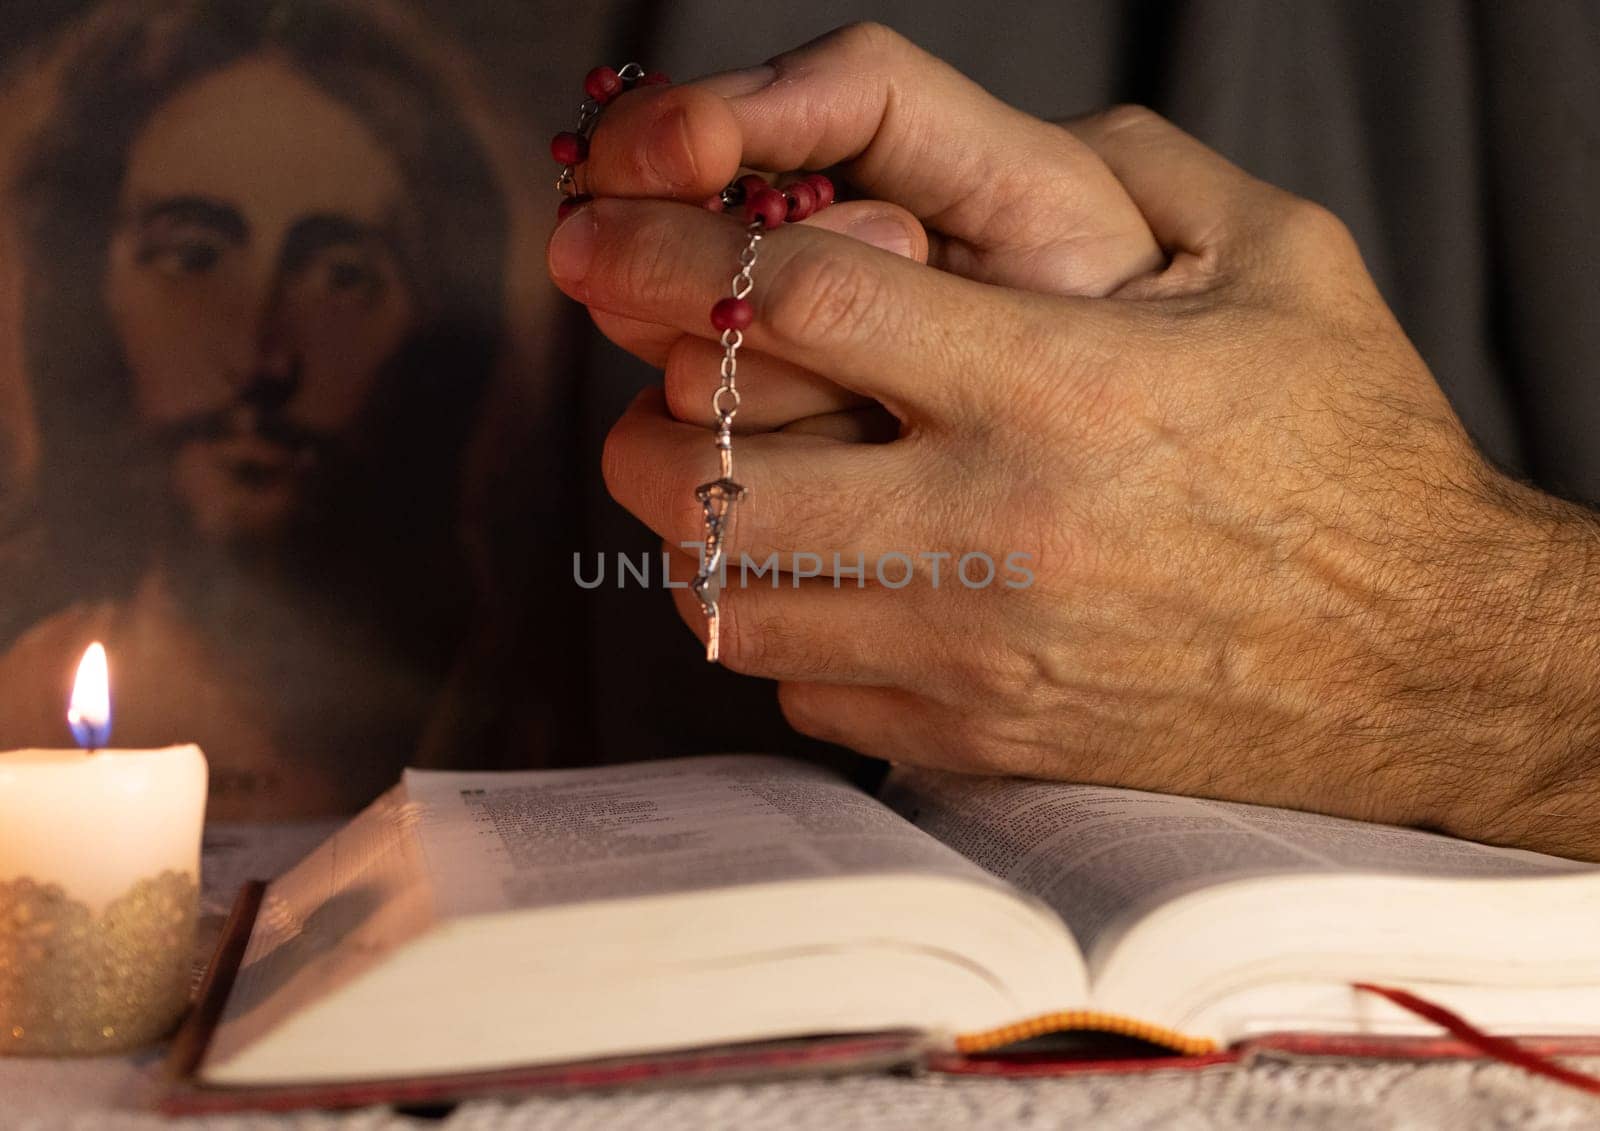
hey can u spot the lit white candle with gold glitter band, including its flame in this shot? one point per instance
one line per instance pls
(100, 873)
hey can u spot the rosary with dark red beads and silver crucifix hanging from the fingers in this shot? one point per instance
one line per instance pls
(764, 209)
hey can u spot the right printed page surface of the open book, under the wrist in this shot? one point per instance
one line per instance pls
(1103, 857)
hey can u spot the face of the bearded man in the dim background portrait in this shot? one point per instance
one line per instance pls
(258, 289)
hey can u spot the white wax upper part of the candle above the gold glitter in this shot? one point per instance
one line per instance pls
(98, 823)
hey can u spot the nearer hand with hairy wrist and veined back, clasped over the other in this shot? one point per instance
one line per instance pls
(1266, 564)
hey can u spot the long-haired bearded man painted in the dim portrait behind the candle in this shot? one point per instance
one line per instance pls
(262, 303)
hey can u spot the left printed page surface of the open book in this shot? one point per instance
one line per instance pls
(503, 841)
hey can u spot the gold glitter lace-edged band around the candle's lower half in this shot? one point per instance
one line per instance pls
(74, 983)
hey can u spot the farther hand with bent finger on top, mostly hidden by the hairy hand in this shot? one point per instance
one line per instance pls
(953, 177)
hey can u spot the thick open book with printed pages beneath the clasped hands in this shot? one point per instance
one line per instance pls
(473, 922)
